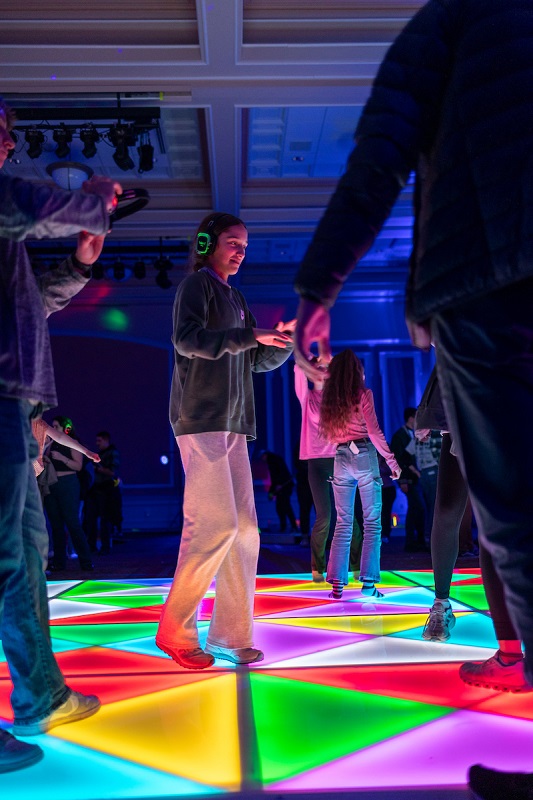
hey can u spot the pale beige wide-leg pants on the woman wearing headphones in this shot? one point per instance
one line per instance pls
(220, 538)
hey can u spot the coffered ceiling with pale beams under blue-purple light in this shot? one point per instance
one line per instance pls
(258, 101)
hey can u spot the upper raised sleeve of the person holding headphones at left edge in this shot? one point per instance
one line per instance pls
(45, 210)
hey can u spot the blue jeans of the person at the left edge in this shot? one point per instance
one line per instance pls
(38, 685)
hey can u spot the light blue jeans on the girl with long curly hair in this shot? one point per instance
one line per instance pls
(354, 470)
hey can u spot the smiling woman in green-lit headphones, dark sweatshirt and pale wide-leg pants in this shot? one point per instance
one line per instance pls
(217, 345)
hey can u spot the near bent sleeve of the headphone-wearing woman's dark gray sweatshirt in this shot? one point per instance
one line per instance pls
(192, 338)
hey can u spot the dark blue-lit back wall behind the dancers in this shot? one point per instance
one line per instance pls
(113, 361)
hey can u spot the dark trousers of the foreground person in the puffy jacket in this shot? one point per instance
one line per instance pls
(485, 368)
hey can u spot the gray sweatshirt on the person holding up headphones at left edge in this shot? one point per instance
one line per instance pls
(44, 210)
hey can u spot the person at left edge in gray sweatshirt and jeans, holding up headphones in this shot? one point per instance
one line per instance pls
(40, 698)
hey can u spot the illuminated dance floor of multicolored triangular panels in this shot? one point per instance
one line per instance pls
(349, 698)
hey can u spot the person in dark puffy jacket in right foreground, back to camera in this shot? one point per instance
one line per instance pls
(453, 102)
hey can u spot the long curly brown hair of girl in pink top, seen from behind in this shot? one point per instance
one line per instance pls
(341, 395)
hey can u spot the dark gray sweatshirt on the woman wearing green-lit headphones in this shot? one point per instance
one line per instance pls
(215, 352)
